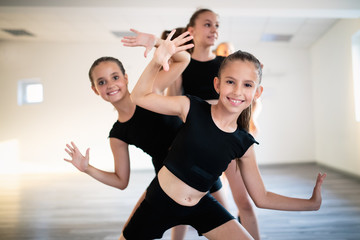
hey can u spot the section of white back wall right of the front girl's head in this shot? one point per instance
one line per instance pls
(286, 120)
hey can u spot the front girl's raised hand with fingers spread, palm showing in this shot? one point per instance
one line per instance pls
(169, 47)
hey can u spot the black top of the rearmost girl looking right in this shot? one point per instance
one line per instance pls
(198, 78)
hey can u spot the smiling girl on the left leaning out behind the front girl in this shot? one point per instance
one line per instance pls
(150, 131)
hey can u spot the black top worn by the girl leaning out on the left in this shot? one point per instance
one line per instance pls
(149, 131)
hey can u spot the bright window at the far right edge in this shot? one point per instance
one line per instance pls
(356, 72)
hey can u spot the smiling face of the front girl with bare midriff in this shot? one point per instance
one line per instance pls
(238, 85)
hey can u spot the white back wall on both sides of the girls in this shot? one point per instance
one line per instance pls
(34, 137)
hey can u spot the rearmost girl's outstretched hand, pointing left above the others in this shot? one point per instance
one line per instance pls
(140, 40)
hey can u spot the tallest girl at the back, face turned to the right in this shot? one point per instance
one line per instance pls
(197, 80)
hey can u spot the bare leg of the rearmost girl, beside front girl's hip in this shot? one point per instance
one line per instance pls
(242, 200)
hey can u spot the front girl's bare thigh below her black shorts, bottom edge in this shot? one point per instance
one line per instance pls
(231, 230)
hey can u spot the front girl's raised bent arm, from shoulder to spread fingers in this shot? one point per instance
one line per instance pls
(143, 94)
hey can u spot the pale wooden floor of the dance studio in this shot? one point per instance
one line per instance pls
(76, 207)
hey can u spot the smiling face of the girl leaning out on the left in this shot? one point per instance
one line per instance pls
(109, 81)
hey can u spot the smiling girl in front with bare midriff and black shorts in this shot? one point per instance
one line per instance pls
(221, 125)
